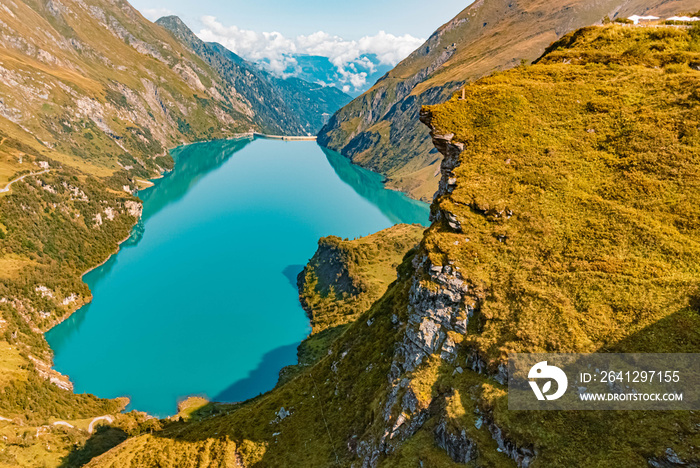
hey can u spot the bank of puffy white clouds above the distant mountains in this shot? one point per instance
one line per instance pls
(275, 50)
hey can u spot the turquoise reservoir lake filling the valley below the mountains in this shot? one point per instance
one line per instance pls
(202, 298)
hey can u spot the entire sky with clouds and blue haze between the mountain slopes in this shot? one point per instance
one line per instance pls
(360, 38)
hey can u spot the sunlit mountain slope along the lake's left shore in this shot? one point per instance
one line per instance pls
(91, 96)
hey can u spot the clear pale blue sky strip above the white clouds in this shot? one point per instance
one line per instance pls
(348, 19)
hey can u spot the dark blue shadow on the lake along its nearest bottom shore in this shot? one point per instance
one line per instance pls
(261, 379)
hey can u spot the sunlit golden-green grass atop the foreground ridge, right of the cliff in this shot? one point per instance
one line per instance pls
(578, 189)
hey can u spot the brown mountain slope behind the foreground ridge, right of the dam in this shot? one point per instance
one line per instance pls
(380, 130)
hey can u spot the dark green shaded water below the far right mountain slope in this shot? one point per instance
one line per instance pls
(369, 185)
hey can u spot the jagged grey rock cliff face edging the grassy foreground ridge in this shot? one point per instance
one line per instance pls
(440, 302)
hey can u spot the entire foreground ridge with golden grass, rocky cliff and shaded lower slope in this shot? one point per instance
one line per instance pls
(566, 220)
